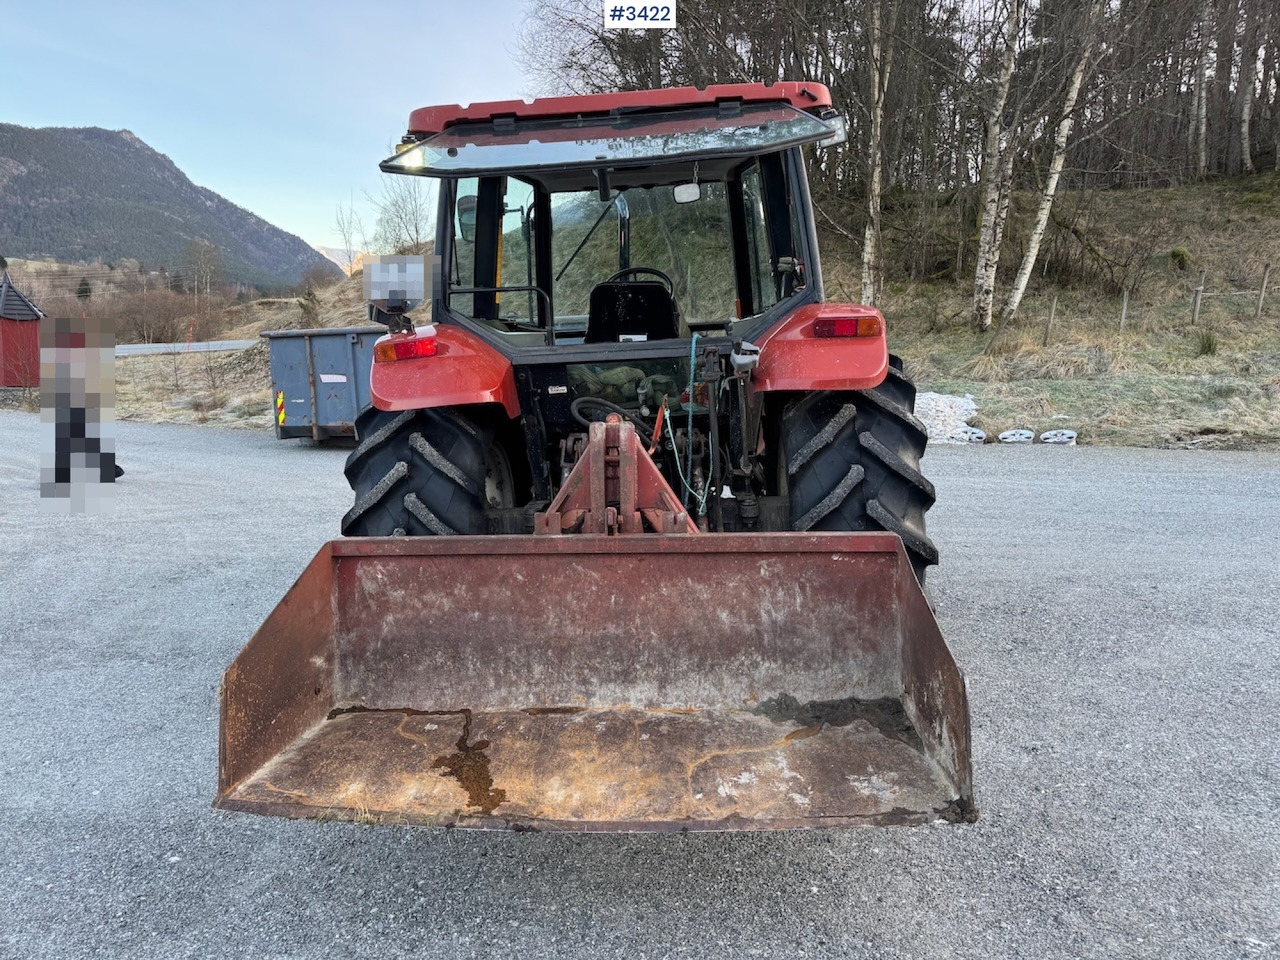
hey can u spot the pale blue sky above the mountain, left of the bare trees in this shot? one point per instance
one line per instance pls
(285, 109)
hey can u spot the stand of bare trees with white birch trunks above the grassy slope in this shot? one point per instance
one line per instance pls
(959, 107)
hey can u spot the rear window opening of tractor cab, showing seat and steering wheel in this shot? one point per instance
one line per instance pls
(651, 262)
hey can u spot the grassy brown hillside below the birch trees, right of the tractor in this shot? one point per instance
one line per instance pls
(1144, 373)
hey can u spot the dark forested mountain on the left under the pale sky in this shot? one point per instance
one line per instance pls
(84, 194)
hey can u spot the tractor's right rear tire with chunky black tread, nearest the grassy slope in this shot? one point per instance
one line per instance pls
(853, 463)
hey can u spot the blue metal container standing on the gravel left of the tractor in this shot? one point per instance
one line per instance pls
(321, 380)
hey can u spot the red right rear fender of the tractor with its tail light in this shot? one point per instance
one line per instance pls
(796, 358)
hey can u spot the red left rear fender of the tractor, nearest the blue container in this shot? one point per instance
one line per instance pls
(461, 372)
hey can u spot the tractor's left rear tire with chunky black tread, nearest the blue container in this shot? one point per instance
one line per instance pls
(420, 473)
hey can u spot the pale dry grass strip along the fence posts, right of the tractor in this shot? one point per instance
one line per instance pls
(1160, 383)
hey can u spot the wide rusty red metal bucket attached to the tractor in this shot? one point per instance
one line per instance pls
(730, 682)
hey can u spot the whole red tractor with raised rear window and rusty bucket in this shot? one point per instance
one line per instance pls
(638, 536)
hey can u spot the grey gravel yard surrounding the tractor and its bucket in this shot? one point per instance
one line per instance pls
(1116, 611)
